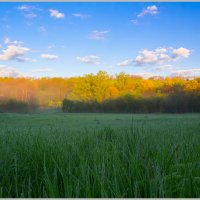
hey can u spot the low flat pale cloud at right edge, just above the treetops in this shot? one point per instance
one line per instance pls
(186, 73)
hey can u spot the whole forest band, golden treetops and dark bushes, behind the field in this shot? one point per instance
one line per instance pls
(101, 92)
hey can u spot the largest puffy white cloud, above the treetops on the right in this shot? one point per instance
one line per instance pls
(159, 56)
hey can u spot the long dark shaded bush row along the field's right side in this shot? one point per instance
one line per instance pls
(179, 102)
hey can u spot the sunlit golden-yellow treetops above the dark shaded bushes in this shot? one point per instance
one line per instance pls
(100, 87)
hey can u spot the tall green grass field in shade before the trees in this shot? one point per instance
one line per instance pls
(99, 155)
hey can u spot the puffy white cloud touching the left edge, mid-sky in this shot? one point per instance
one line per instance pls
(13, 52)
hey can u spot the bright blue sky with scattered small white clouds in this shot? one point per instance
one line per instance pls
(72, 39)
